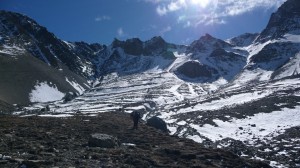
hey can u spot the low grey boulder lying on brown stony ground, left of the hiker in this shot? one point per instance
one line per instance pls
(103, 141)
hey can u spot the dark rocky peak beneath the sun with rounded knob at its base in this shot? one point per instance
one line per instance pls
(211, 59)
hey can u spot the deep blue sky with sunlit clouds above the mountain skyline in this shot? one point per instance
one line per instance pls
(177, 21)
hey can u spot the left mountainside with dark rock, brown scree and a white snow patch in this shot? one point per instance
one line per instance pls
(35, 65)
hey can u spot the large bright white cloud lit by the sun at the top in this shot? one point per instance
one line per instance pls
(209, 12)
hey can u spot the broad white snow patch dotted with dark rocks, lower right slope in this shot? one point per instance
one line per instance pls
(267, 125)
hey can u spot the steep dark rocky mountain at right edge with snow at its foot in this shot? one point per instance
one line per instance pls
(276, 47)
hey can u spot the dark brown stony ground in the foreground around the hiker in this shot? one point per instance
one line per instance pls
(65, 142)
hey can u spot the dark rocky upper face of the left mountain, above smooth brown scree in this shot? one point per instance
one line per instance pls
(21, 31)
